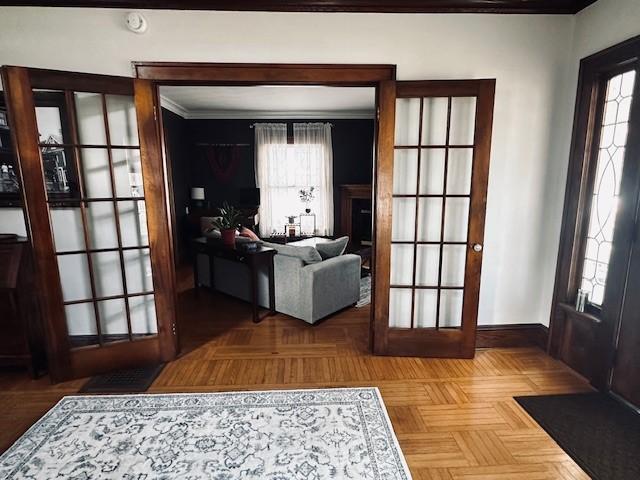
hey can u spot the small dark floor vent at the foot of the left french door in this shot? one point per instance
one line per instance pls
(134, 380)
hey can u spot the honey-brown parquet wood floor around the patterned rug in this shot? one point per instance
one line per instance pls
(455, 419)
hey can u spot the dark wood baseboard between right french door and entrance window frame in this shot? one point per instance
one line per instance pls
(512, 335)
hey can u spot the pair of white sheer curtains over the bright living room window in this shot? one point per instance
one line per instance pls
(283, 170)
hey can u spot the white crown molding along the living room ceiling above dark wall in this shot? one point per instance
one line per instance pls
(178, 109)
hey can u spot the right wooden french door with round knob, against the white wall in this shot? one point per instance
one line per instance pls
(434, 144)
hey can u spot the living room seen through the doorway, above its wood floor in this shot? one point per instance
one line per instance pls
(296, 163)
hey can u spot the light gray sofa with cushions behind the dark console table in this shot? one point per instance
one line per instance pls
(306, 287)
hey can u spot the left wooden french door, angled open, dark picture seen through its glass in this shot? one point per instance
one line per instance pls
(94, 192)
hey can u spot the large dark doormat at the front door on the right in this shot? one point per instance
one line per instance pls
(601, 434)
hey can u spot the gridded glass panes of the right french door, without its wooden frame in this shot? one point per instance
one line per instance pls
(433, 164)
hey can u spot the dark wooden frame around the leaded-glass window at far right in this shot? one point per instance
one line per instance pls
(586, 341)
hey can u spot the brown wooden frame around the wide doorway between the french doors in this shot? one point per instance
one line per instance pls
(380, 77)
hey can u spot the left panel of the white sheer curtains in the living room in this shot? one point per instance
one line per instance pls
(271, 153)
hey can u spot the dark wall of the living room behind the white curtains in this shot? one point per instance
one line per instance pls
(352, 156)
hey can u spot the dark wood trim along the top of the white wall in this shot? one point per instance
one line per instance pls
(399, 6)
